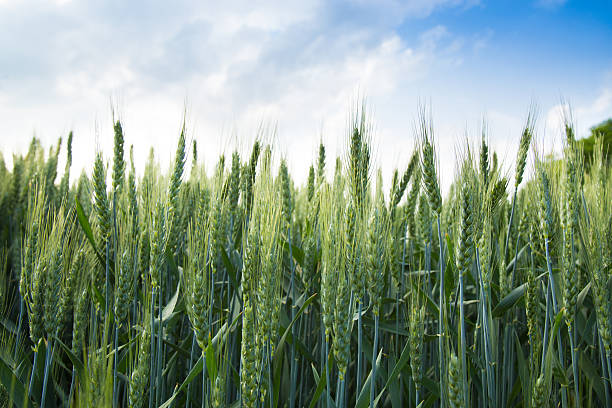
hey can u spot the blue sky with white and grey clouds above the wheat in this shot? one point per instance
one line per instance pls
(294, 71)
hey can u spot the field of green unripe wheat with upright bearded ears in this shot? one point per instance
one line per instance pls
(239, 287)
